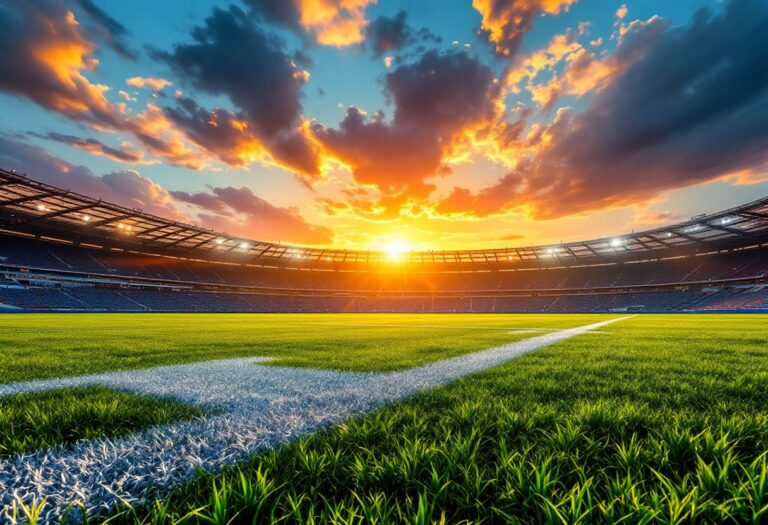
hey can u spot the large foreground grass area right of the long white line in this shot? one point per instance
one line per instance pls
(660, 419)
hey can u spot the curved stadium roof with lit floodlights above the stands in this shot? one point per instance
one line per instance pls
(32, 207)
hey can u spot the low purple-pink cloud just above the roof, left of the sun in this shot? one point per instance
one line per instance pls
(239, 211)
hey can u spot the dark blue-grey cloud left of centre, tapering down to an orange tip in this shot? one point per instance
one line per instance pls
(231, 55)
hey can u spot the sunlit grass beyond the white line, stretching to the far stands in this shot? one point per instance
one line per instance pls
(55, 345)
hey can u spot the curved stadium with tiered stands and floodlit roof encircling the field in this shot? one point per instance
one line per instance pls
(61, 251)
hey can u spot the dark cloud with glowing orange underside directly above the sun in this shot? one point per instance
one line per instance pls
(436, 100)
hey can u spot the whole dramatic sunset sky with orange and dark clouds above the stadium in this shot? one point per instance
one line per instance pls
(362, 124)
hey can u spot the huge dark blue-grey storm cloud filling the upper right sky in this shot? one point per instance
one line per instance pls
(692, 108)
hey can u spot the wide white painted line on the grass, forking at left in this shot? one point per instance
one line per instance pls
(263, 406)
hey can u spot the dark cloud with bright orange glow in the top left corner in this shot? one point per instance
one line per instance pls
(45, 59)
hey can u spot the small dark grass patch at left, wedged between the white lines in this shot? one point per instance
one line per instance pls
(35, 420)
